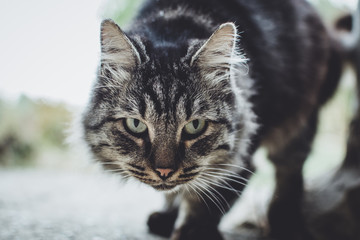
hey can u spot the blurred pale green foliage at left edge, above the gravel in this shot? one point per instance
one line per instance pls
(28, 128)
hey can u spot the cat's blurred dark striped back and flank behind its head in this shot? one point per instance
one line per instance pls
(285, 41)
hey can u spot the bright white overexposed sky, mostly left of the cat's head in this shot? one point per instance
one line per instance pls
(49, 48)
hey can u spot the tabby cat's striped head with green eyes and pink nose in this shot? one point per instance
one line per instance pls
(168, 114)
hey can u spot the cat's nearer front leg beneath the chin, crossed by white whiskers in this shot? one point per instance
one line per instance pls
(206, 201)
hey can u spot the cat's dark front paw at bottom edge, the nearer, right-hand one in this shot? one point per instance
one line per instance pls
(197, 231)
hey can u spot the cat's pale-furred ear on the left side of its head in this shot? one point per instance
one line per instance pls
(116, 47)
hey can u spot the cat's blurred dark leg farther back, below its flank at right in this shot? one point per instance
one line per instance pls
(285, 215)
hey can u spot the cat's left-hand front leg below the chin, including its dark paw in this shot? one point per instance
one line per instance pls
(162, 222)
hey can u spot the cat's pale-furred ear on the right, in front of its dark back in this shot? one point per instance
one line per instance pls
(217, 54)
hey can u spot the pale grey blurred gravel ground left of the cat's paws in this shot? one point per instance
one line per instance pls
(60, 205)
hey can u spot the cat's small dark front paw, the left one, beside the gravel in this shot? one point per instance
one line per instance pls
(162, 223)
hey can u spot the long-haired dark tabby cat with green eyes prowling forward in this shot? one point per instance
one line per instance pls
(185, 97)
